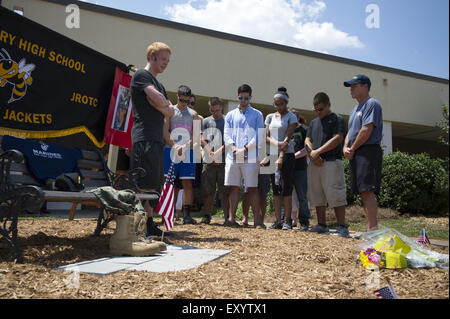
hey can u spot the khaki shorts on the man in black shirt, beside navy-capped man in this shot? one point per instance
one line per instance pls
(326, 184)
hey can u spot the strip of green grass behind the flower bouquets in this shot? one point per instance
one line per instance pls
(409, 226)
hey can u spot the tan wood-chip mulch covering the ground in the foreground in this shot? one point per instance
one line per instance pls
(262, 264)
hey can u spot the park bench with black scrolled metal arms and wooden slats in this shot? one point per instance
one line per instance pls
(21, 192)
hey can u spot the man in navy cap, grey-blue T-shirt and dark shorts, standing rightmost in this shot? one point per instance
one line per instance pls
(362, 146)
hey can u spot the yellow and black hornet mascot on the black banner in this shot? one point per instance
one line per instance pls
(18, 75)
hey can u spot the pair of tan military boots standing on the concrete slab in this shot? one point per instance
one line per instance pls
(125, 241)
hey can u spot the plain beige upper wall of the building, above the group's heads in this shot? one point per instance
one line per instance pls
(212, 66)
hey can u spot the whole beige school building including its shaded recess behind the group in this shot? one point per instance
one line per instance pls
(214, 63)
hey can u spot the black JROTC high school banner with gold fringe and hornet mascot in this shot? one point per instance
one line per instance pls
(50, 85)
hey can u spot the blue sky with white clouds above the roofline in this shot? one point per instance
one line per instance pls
(411, 35)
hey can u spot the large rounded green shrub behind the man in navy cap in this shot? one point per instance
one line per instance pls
(414, 184)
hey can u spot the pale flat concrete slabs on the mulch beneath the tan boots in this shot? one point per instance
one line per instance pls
(176, 258)
